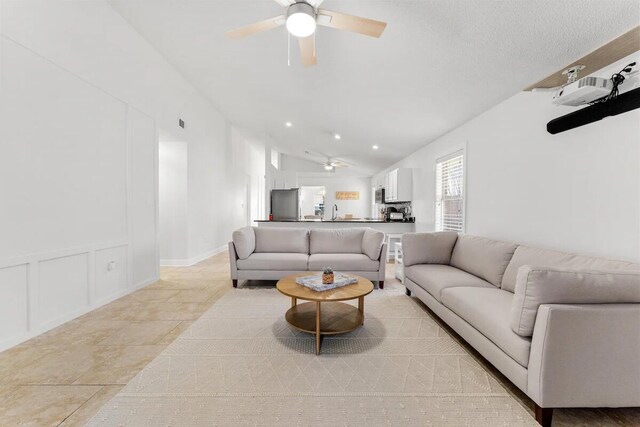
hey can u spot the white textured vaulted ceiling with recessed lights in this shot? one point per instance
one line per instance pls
(438, 64)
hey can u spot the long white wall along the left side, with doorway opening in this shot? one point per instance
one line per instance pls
(82, 98)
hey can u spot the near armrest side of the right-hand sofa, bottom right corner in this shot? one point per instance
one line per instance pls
(585, 355)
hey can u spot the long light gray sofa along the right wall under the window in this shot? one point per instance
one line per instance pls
(564, 328)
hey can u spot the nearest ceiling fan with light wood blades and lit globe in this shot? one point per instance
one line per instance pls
(301, 19)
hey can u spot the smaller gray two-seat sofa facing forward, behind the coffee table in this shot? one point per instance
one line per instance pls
(272, 253)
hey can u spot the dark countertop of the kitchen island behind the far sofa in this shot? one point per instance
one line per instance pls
(387, 227)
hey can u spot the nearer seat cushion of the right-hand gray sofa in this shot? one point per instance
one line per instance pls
(488, 310)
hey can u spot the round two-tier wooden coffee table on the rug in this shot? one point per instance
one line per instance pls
(325, 314)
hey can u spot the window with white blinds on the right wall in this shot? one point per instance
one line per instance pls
(450, 192)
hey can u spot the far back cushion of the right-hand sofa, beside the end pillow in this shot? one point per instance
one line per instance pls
(482, 257)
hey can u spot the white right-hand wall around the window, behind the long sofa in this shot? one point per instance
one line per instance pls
(576, 191)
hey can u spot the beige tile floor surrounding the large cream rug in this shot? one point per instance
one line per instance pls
(63, 377)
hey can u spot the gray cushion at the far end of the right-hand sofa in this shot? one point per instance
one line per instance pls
(428, 248)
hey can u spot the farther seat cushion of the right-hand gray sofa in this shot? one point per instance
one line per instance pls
(434, 278)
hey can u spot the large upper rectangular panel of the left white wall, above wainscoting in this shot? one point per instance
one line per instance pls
(56, 168)
